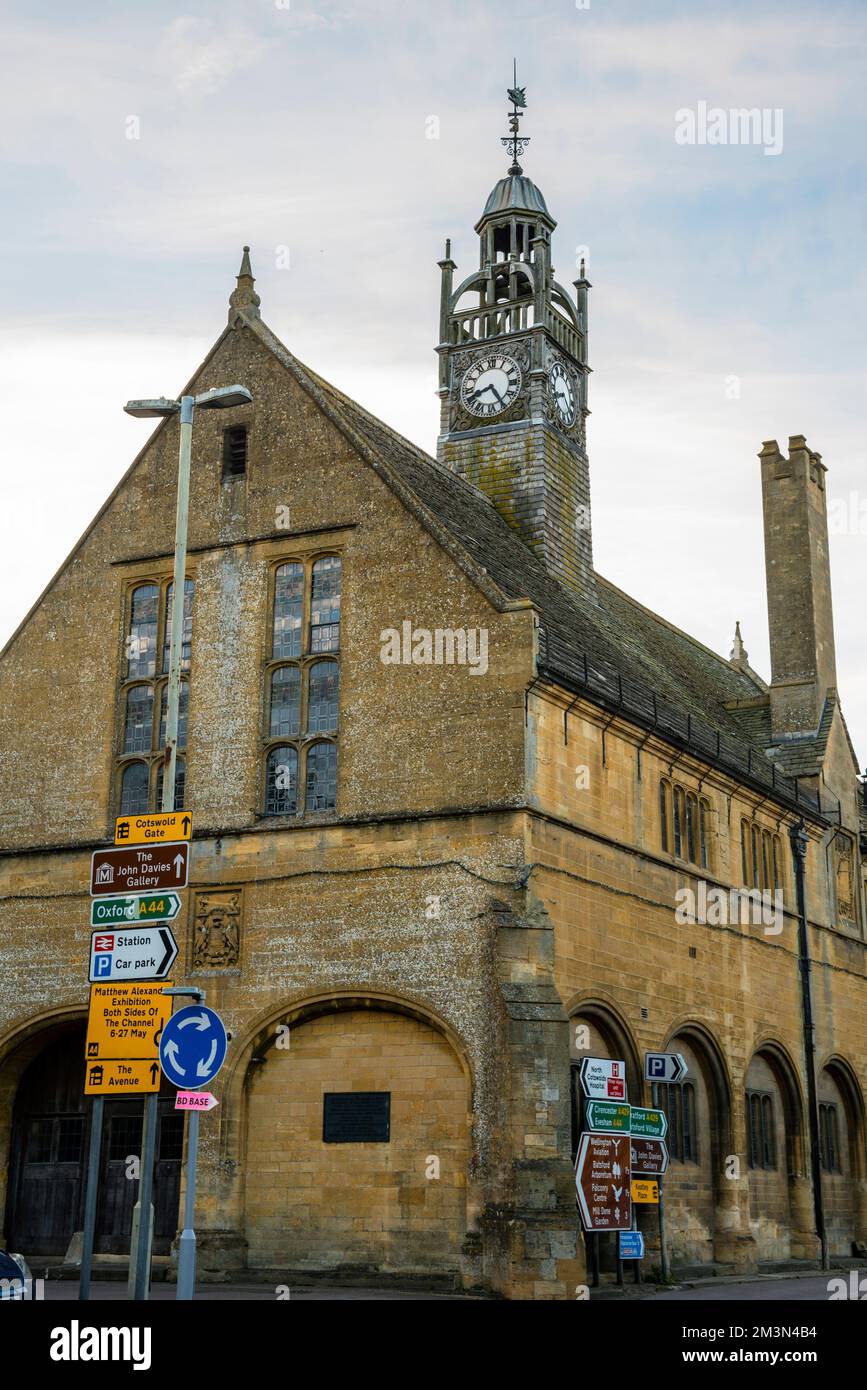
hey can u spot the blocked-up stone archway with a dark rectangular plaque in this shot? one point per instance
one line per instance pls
(356, 1142)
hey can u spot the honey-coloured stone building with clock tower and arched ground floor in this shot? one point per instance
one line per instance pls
(465, 814)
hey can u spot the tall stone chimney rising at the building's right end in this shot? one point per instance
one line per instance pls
(801, 616)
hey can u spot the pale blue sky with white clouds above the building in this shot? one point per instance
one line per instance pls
(141, 147)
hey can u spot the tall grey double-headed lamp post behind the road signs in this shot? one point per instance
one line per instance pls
(222, 398)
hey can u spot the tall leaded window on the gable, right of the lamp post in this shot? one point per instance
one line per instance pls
(304, 689)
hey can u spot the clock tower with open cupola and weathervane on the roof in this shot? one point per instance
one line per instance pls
(513, 376)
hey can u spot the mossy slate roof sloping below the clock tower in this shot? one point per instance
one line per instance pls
(618, 651)
